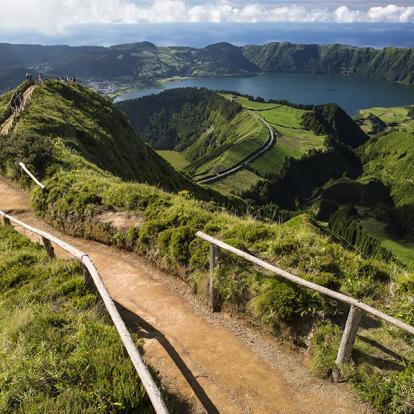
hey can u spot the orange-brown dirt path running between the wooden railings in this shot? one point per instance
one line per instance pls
(211, 362)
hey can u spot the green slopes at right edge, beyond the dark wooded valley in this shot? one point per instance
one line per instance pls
(389, 156)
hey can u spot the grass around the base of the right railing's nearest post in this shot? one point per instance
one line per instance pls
(382, 376)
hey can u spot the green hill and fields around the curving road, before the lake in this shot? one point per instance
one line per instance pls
(216, 131)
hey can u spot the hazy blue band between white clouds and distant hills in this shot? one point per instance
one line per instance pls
(376, 36)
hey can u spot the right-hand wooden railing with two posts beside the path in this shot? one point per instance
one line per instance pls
(356, 307)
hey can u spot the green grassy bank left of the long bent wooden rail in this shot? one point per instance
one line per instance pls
(59, 352)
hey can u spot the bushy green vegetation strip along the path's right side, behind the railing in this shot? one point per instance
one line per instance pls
(78, 194)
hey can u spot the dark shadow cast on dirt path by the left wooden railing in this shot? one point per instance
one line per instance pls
(146, 330)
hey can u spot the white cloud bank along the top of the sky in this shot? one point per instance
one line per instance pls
(57, 16)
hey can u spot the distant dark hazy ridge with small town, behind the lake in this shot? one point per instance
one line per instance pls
(146, 62)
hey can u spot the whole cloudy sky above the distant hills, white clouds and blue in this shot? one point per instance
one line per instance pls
(200, 22)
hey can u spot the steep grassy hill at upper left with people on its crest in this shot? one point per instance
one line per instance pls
(72, 127)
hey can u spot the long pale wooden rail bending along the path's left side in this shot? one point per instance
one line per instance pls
(142, 370)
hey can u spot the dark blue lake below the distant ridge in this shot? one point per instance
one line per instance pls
(350, 93)
